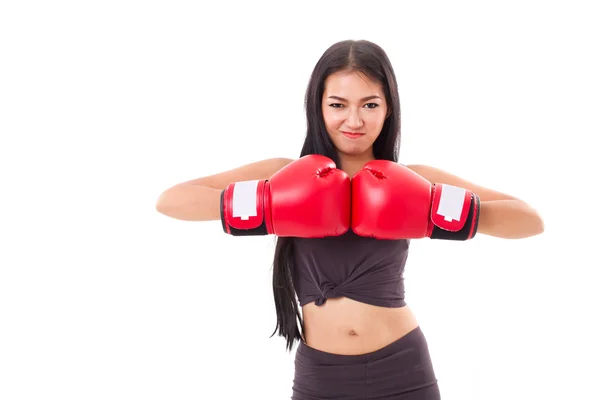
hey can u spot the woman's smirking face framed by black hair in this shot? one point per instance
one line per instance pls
(354, 110)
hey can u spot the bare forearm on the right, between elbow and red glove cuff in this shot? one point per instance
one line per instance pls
(509, 219)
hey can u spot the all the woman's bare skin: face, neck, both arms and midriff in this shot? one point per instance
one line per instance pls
(342, 325)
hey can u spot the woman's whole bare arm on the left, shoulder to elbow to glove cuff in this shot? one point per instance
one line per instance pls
(200, 199)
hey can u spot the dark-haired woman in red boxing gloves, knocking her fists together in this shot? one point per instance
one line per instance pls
(344, 214)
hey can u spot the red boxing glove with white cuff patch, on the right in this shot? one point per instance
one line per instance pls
(390, 201)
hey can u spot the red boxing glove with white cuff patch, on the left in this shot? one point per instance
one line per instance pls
(307, 198)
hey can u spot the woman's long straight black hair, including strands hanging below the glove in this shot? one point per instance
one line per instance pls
(349, 55)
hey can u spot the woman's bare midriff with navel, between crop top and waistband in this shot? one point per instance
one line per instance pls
(345, 326)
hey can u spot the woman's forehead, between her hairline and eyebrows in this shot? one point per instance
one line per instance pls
(352, 83)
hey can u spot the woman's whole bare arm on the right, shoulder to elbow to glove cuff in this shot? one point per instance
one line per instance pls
(501, 215)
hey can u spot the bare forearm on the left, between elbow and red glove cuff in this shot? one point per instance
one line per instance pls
(188, 202)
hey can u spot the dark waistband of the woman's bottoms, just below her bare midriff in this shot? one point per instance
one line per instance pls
(412, 339)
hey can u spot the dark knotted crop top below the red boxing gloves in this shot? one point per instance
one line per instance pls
(360, 268)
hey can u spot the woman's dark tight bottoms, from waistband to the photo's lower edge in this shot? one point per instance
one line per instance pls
(401, 370)
